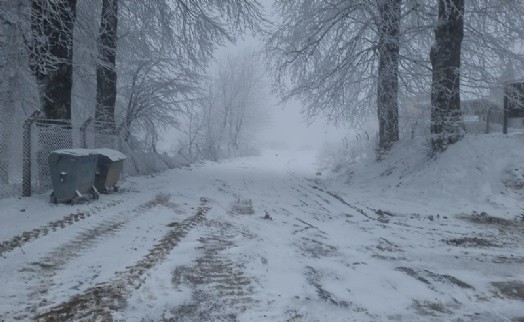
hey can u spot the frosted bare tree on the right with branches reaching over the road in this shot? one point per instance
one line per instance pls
(340, 58)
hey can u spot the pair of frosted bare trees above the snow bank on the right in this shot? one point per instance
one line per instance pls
(341, 57)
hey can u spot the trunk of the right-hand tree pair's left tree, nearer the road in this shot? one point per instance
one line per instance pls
(387, 93)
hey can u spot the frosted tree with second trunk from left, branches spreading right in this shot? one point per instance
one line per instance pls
(163, 44)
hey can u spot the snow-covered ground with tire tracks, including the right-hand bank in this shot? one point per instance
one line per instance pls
(270, 238)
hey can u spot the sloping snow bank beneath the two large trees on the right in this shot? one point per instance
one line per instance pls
(479, 172)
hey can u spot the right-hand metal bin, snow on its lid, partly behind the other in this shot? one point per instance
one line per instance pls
(109, 166)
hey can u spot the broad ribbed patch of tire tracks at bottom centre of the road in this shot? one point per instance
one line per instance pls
(221, 290)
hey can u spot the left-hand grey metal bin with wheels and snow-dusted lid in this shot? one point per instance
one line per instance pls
(72, 175)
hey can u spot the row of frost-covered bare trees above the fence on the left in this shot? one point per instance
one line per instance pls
(136, 62)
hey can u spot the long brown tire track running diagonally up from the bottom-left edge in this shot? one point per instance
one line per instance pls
(97, 302)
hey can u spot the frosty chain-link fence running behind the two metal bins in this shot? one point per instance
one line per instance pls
(24, 152)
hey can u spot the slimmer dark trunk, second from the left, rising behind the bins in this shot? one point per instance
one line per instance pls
(106, 69)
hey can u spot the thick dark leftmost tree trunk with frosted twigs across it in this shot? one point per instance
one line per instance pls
(52, 24)
